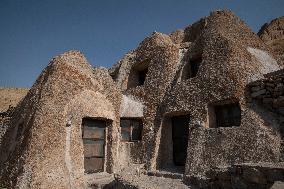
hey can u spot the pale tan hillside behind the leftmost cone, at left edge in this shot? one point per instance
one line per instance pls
(11, 97)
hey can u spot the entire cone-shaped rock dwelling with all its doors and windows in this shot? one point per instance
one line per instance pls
(185, 105)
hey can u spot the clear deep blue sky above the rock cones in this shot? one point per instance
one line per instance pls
(33, 31)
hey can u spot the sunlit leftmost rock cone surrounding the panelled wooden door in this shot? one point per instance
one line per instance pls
(38, 150)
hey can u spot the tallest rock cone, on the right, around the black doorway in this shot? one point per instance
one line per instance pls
(228, 65)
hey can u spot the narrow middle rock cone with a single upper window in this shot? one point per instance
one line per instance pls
(161, 55)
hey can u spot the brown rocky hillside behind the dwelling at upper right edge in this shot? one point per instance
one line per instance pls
(273, 35)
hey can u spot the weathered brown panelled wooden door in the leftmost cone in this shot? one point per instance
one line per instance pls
(94, 132)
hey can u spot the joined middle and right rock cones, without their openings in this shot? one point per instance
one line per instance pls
(232, 56)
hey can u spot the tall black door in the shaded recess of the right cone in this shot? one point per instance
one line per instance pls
(180, 129)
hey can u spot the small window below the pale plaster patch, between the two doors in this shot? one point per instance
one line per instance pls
(131, 129)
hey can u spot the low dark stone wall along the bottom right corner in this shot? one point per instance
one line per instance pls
(261, 176)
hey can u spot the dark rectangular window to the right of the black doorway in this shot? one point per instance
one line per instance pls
(226, 115)
